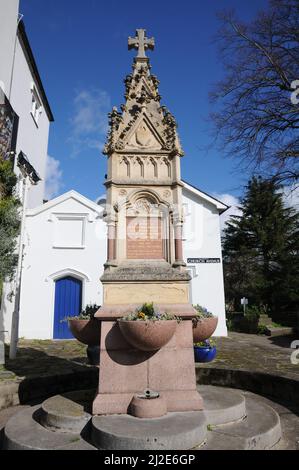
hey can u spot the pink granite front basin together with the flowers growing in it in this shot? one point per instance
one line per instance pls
(148, 329)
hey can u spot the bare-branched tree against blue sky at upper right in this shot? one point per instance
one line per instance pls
(257, 118)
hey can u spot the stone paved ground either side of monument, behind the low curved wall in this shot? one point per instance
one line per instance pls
(238, 350)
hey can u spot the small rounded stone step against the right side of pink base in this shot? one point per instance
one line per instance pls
(222, 405)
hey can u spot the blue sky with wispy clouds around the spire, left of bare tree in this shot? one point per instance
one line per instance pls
(81, 52)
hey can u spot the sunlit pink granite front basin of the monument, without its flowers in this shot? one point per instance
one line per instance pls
(148, 335)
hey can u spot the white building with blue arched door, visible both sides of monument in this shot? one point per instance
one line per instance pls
(66, 248)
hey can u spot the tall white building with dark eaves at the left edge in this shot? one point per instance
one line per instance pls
(25, 118)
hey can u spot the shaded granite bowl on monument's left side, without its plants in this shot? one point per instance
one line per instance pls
(86, 331)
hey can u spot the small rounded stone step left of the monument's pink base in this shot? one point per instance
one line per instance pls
(63, 413)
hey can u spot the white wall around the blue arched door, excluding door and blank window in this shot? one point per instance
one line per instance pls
(43, 264)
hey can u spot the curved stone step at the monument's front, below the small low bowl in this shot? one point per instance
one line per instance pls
(175, 431)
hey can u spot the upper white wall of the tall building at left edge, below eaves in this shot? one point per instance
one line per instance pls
(32, 139)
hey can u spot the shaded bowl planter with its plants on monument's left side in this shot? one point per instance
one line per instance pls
(85, 327)
